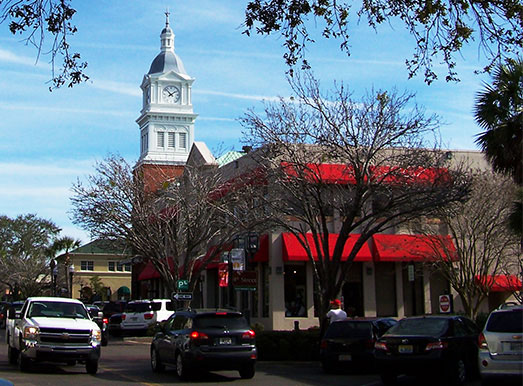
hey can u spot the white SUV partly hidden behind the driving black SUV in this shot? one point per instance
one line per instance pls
(138, 315)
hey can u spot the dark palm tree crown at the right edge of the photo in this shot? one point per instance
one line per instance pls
(499, 110)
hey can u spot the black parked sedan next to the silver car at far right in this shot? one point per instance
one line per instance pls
(431, 347)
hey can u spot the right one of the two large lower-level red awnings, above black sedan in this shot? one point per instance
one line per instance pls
(413, 248)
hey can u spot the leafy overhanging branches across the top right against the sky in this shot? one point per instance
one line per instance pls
(440, 28)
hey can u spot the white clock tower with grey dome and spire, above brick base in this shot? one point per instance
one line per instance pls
(167, 119)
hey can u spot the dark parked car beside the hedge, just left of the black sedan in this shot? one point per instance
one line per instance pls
(349, 343)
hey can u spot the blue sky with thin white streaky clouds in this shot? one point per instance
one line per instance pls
(48, 140)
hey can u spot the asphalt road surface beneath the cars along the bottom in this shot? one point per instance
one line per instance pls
(126, 361)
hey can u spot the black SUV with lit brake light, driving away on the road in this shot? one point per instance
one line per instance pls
(205, 340)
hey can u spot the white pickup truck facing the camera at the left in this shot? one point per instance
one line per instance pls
(49, 329)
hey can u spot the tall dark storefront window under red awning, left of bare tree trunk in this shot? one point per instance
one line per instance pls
(295, 282)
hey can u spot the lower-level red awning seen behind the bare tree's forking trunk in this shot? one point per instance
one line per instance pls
(294, 251)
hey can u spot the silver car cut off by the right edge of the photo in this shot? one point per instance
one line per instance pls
(501, 344)
